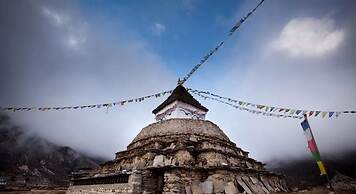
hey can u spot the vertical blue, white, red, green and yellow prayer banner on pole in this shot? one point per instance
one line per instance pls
(312, 146)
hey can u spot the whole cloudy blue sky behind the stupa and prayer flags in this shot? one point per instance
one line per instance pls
(296, 53)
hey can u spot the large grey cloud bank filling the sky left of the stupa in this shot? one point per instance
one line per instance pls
(59, 57)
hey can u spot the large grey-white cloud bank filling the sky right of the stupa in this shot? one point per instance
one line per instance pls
(314, 79)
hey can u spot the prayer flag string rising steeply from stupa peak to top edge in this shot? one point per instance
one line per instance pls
(211, 52)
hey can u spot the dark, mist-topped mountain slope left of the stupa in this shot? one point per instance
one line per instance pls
(29, 160)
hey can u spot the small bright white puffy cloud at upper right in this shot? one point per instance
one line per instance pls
(309, 36)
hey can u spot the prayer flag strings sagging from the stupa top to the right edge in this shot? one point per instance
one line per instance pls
(259, 108)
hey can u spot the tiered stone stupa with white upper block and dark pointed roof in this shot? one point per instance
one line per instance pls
(180, 153)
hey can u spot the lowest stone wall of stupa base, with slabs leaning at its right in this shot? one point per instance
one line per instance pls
(220, 182)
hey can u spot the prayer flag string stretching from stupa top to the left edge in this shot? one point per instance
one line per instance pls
(80, 107)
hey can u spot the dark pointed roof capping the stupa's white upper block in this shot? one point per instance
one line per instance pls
(182, 95)
